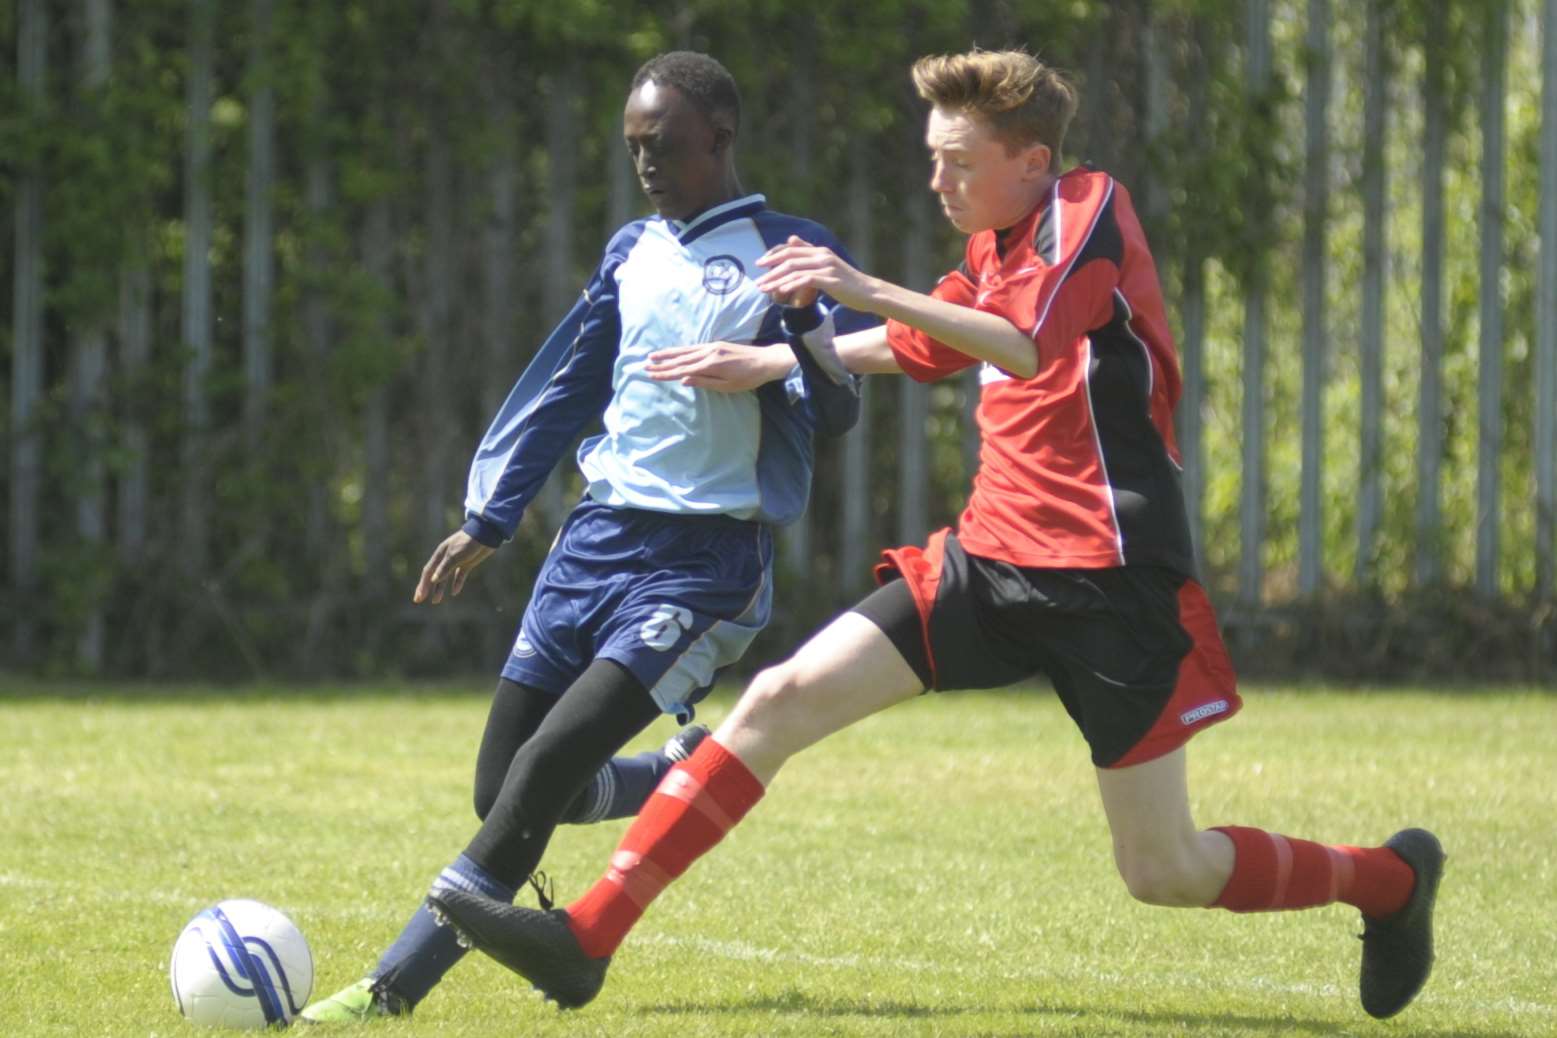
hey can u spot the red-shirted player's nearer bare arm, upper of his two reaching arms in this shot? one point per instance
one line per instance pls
(796, 267)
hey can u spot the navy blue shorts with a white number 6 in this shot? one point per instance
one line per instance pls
(673, 598)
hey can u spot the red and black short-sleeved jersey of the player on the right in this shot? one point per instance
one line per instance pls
(1078, 465)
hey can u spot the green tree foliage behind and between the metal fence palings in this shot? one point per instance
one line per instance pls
(393, 121)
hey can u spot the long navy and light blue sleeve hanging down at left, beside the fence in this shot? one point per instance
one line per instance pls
(564, 388)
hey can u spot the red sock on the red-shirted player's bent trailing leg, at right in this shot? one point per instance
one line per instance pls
(1276, 872)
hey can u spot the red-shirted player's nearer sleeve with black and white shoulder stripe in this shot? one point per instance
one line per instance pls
(1066, 295)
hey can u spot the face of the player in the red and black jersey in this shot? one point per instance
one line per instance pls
(982, 186)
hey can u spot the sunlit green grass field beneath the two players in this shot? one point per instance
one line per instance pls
(940, 871)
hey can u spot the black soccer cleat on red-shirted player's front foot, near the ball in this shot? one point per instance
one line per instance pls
(536, 945)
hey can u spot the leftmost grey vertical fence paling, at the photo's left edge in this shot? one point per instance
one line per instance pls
(27, 328)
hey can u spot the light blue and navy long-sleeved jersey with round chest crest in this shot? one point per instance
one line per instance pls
(666, 447)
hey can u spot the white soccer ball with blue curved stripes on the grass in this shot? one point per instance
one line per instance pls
(242, 964)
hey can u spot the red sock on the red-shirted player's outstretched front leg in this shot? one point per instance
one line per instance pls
(694, 807)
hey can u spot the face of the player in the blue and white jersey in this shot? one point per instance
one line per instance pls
(681, 156)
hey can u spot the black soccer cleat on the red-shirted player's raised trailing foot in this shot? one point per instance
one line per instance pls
(1397, 950)
